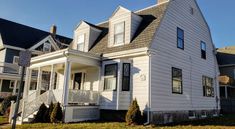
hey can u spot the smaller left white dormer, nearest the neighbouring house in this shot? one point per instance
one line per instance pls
(84, 36)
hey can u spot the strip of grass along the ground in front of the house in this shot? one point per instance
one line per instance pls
(227, 122)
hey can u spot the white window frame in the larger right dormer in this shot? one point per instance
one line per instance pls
(115, 43)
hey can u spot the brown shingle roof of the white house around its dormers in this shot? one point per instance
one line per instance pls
(143, 36)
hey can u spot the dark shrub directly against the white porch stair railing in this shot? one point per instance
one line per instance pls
(40, 114)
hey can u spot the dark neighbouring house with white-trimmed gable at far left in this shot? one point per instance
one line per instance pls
(15, 37)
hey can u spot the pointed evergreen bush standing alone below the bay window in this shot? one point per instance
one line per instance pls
(133, 115)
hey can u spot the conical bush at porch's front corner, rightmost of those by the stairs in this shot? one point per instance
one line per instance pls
(57, 114)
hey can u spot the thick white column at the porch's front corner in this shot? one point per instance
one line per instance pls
(67, 73)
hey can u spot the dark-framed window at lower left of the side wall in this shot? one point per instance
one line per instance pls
(177, 81)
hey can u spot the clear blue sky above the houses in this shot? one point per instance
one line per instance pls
(66, 14)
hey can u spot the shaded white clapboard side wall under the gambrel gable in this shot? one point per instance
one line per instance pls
(167, 55)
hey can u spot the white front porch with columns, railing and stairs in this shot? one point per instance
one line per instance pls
(68, 76)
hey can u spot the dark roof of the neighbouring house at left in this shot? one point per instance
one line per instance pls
(18, 35)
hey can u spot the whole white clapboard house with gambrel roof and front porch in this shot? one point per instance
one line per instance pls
(162, 55)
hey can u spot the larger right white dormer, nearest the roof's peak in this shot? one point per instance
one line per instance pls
(122, 26)
